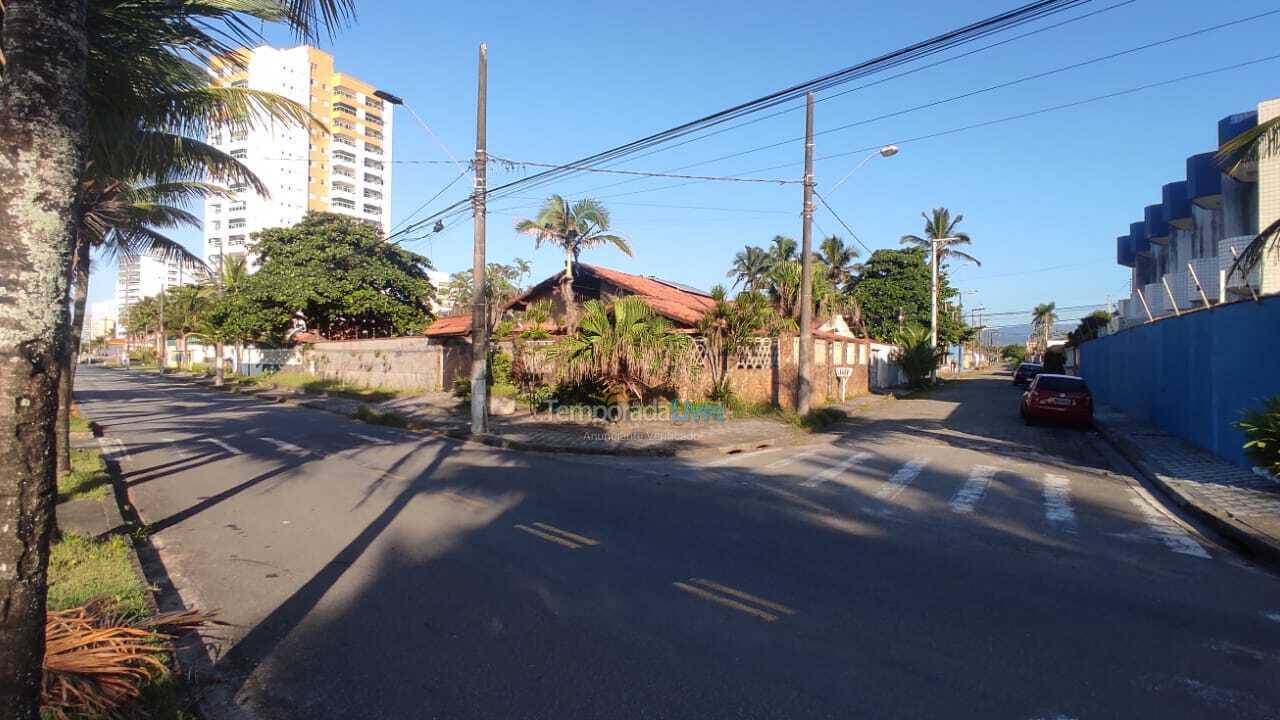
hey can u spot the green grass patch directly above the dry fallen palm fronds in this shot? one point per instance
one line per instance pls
(83, 569)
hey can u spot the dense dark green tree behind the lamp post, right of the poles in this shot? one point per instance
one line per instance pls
(898, 281)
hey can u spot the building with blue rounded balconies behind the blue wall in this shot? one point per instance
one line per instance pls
(1181, 253)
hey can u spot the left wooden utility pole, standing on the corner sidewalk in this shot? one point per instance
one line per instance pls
(479, 304)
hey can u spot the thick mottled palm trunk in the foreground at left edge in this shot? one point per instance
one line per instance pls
(43, 127)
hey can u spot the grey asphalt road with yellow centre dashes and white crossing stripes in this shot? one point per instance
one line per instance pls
(943, 560)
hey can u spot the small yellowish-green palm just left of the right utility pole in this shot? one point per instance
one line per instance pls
(730, 329)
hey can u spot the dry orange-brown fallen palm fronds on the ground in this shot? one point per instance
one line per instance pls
(98, 663)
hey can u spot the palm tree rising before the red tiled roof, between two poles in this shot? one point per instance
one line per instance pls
(574, 229)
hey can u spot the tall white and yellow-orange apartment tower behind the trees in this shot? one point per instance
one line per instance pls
(346, 171)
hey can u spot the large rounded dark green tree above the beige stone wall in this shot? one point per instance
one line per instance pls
(344, 279)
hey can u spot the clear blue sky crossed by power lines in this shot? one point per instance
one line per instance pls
(572, 79)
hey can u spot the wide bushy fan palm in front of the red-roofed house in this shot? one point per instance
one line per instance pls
(625, 347)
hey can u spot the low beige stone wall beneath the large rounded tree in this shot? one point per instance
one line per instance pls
(401, 363)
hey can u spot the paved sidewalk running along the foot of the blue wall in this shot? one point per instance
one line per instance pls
(1237, 503)
